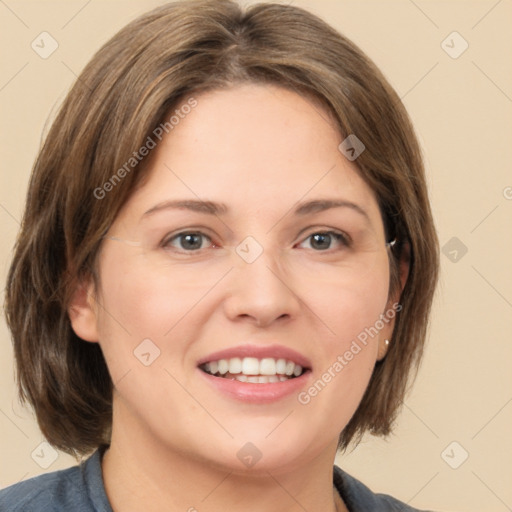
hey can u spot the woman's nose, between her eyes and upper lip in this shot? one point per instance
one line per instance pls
(261, 292)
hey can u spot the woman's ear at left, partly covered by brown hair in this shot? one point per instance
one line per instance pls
(82, 310)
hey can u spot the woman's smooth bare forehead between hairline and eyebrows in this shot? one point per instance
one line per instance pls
(253, 146)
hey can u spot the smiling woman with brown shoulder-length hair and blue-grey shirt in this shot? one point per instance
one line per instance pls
(225, 269)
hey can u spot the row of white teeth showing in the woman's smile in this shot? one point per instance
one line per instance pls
(252, 369)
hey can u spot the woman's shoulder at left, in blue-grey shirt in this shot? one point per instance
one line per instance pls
(79, 488)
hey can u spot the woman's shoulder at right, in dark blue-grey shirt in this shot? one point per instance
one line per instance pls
(360, 498)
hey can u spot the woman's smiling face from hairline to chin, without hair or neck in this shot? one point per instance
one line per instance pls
(252, 269)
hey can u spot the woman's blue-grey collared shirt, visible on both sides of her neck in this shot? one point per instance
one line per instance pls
(81, 489)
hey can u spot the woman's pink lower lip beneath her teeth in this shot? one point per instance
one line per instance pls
(257, 393)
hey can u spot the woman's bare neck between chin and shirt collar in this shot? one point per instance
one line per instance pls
(141, 474)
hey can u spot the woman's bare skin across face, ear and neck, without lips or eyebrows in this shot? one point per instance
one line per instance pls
(260, 150)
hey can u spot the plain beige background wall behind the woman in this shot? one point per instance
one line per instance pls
(462, 110)
